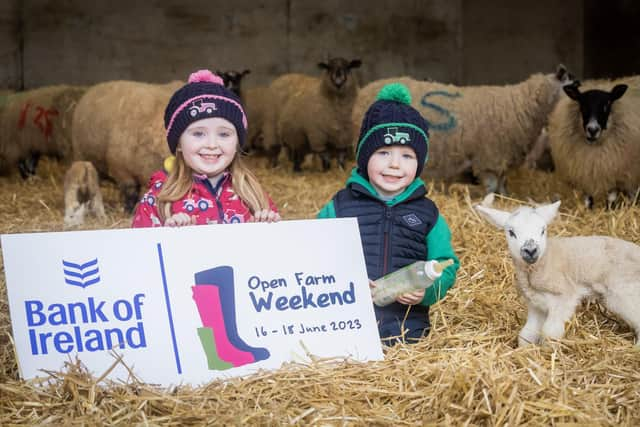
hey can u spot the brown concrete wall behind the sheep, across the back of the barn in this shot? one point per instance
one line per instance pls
(46, 42)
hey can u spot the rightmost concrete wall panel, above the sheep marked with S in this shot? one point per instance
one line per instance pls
(506, 40)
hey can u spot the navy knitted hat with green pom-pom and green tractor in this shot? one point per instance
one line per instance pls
(391, 120)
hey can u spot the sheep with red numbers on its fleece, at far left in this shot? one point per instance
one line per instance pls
(34, 123)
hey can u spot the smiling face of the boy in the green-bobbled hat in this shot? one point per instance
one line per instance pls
(392, 168)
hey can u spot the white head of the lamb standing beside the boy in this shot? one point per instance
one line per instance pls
(525, 229)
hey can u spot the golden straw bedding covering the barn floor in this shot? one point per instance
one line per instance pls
(468, 371)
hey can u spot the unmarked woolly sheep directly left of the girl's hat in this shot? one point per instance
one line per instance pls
(119, 127)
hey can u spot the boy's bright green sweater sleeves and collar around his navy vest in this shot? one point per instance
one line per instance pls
(438, 240)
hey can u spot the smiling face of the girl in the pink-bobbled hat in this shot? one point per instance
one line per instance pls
(209, 145)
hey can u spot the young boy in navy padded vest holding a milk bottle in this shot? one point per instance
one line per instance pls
(398, 224)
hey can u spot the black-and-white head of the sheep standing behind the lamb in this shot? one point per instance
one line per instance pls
(595, 106)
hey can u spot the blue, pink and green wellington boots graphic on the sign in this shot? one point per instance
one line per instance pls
(214, 296)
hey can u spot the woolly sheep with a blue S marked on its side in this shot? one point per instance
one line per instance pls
(483, 129)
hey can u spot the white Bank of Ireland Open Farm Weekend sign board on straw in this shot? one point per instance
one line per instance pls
(187, 305)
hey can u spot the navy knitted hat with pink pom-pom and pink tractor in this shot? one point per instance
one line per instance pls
(203, 96)
